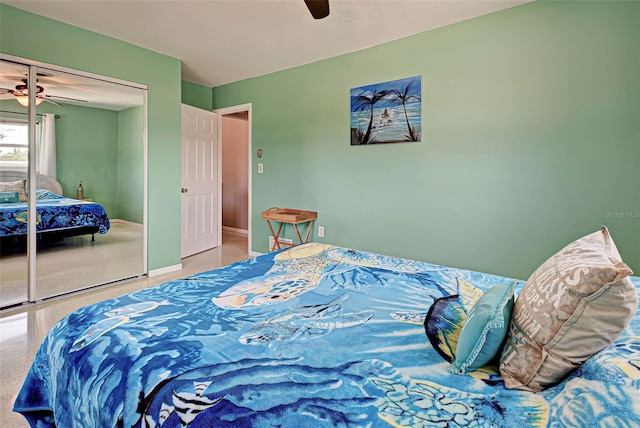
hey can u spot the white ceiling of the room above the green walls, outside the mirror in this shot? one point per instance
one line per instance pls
(223, 41)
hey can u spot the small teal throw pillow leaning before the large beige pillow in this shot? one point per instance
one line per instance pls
(485, 329)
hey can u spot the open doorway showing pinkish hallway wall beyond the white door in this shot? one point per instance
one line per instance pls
(235, 142)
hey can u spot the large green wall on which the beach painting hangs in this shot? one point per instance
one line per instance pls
(530, 139)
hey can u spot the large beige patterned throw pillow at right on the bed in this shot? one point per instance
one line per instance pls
(572, 307)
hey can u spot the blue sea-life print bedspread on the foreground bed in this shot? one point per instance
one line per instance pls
(314, 335)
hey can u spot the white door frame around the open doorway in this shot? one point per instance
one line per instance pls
(221, 112)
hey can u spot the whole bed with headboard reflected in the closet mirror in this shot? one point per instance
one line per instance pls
(57, 216)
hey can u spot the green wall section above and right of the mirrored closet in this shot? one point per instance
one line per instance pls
(56, 43)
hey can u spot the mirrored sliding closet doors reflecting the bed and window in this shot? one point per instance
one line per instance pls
(85, 183)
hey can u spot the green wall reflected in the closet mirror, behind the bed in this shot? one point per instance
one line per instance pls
(104, 150)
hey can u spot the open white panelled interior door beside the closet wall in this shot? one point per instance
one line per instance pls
(199, 180)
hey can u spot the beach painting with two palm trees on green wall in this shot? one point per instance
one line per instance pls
(388, 112)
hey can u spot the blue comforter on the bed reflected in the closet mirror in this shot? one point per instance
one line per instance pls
(53, 212)
